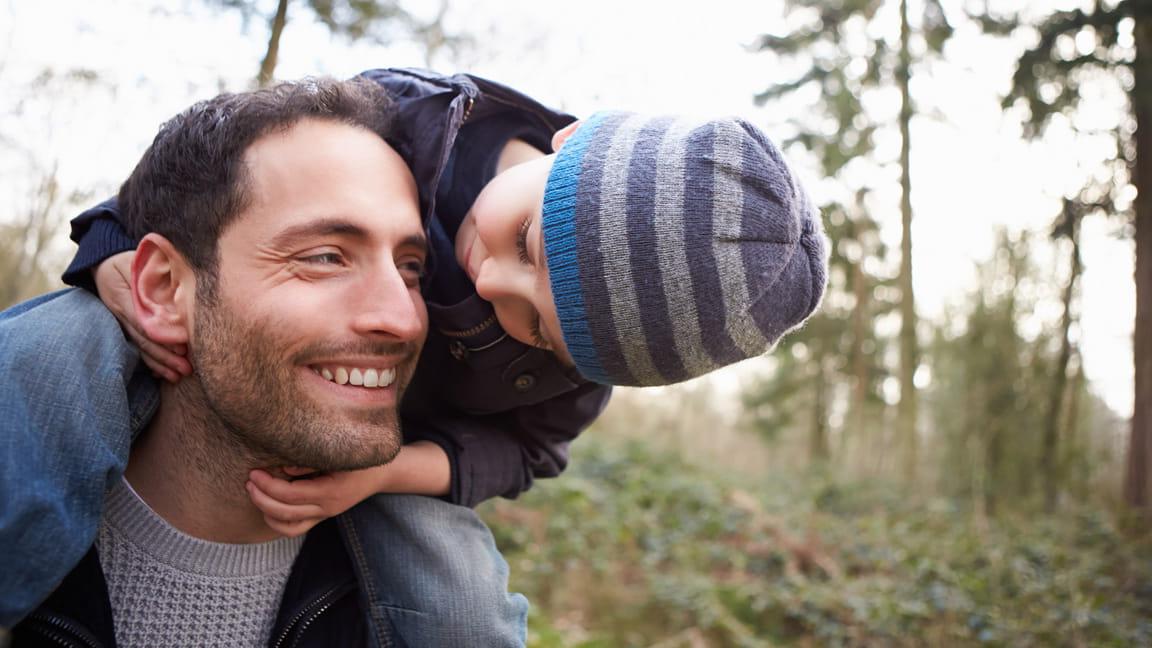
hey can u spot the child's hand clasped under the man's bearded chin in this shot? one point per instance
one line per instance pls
(293, 508)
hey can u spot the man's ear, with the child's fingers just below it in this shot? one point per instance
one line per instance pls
(164, 289)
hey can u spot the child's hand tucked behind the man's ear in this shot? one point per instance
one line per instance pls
(113, 283)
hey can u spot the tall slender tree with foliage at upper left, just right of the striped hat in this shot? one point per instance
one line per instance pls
(844, 65)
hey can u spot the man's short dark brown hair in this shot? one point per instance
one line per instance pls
(193, 183)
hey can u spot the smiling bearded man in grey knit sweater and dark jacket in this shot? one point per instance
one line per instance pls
(282, 239)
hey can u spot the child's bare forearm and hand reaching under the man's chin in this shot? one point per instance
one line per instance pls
(294, 507)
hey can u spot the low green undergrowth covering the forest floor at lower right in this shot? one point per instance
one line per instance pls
(635, 547)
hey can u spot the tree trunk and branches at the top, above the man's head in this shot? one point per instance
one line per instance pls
(380, 21)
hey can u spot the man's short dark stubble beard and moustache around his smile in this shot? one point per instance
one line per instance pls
(254, 400)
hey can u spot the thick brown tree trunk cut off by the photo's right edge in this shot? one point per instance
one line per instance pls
(1138, 486)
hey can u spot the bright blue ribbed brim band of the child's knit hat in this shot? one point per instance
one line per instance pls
(560, 248)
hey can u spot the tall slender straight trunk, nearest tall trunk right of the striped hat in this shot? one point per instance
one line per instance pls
(907, 413)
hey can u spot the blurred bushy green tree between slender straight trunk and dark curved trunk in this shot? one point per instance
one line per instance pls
(989, 389)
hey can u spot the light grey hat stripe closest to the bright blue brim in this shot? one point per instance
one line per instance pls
(617, 268)
